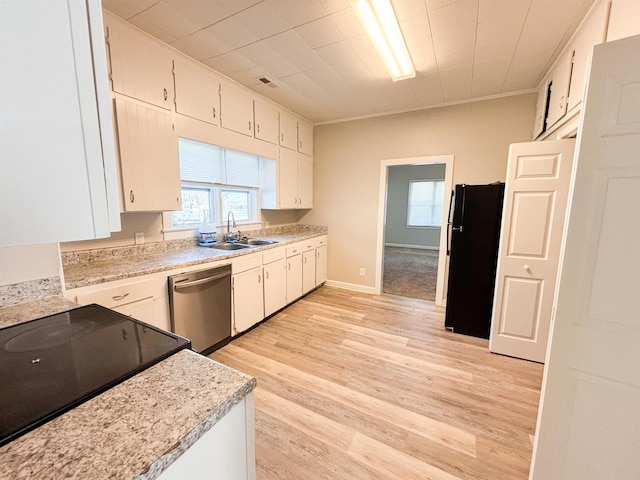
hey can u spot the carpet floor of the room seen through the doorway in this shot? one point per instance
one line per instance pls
(410, 272)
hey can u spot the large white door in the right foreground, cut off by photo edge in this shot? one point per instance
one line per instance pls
(589, 419)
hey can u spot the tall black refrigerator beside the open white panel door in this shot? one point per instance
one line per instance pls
(473, 231)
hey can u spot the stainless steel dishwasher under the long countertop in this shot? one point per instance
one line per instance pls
(200, 304)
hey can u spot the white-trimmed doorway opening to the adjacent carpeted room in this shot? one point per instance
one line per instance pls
(411, 244)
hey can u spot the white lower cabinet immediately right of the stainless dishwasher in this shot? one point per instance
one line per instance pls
(247, 292)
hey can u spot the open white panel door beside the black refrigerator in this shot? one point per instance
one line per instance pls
(537, 187)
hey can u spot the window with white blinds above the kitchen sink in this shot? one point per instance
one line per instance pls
(215, 181)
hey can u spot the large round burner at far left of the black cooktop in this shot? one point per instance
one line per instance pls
(48, 336)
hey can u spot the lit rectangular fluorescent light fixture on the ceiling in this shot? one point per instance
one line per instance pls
(380, 22)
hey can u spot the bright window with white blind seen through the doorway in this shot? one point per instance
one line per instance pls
(425, 203)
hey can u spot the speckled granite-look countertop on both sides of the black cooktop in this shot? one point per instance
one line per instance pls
(134, 430)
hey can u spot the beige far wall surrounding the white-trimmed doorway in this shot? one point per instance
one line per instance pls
(347, 160)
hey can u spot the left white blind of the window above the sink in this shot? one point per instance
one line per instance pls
(201, 162)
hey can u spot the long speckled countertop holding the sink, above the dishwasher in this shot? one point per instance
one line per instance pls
(120, 263)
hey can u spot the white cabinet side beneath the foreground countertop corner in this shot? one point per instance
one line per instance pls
(226, 451)
